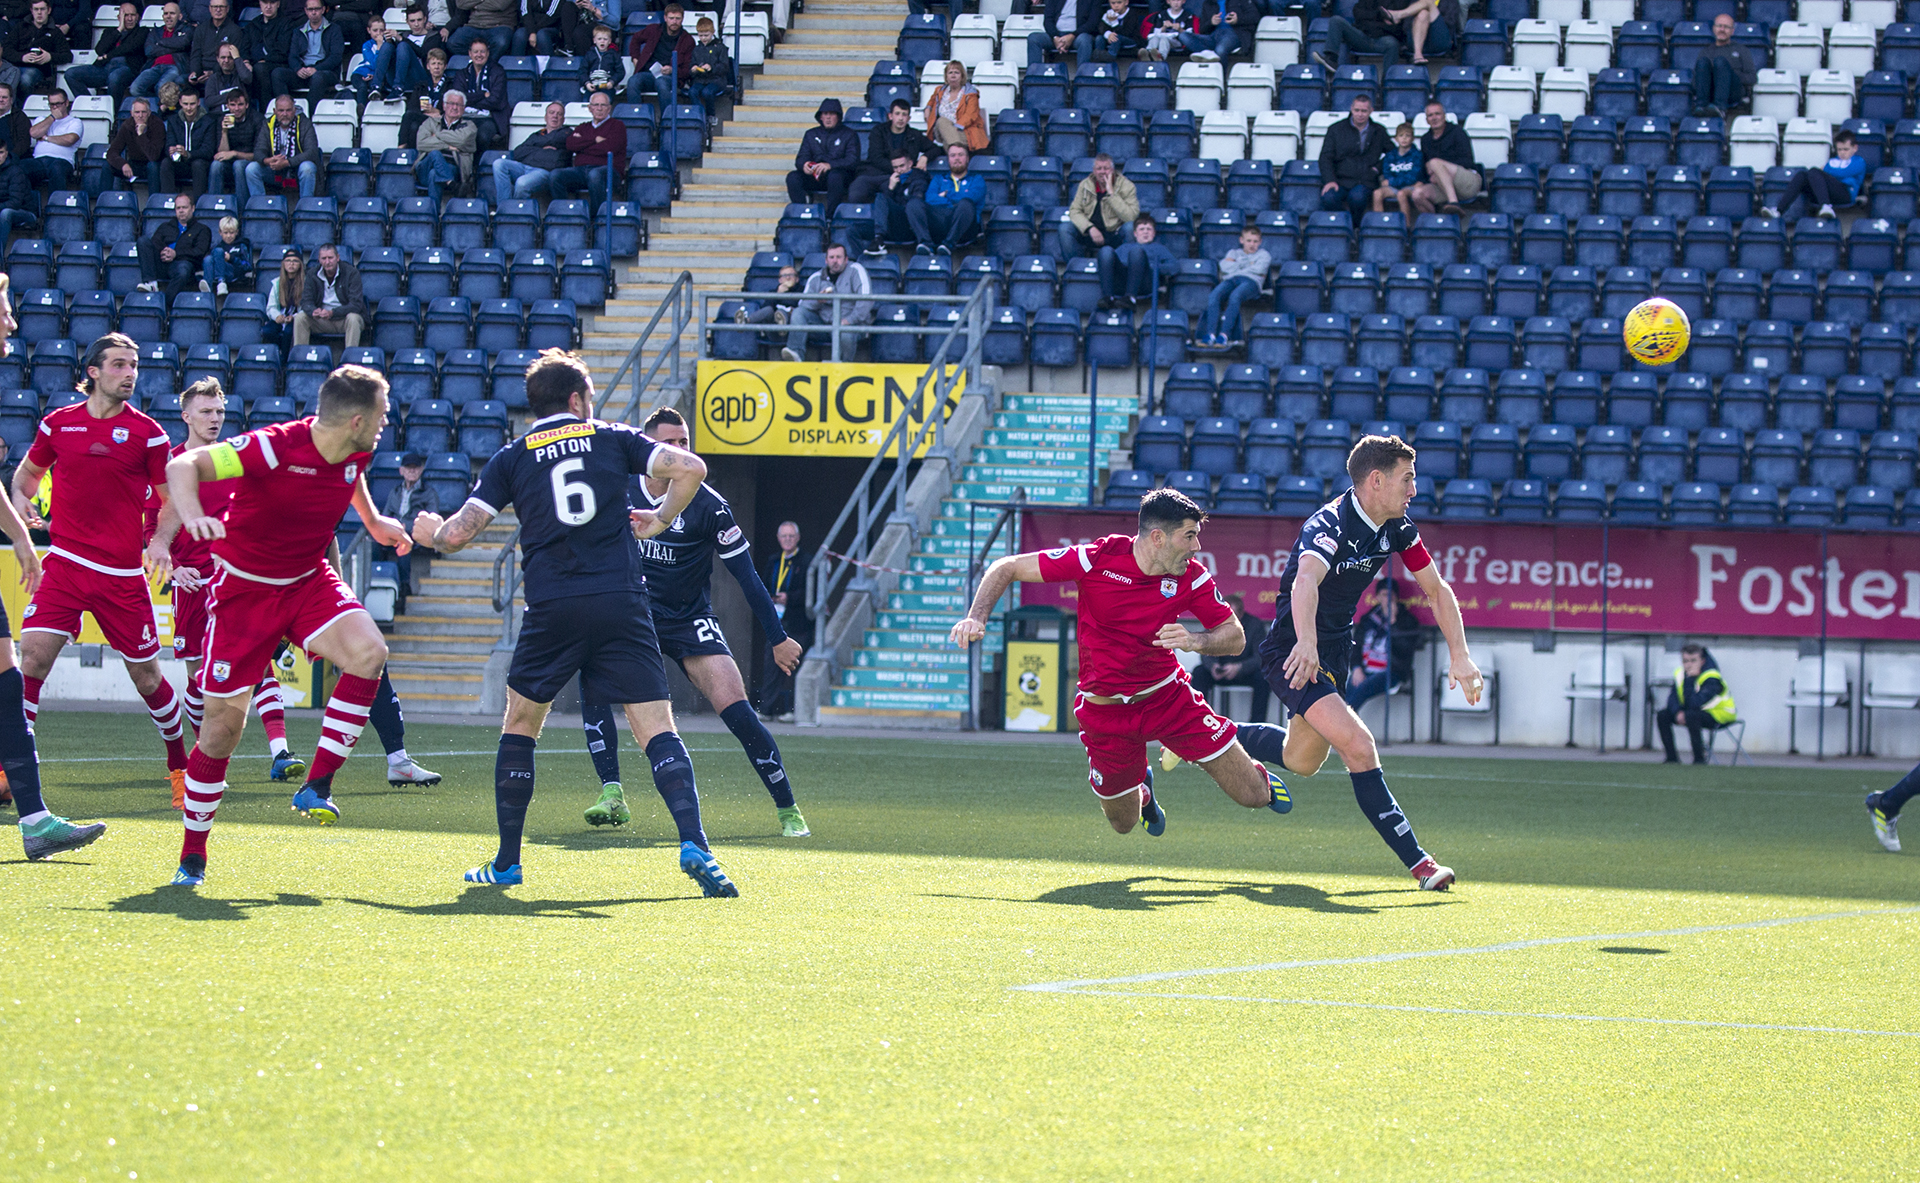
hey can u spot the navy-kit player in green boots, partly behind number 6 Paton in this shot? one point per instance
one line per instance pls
(679, 564)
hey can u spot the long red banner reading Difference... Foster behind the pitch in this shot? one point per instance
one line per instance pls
(1710, 583)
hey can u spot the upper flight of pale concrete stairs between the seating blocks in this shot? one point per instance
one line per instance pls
(732, 201)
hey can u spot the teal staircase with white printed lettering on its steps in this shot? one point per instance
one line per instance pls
(907, 671)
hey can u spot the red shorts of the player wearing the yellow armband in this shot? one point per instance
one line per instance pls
(247, 623)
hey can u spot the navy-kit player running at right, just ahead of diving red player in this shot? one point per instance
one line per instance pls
(1307, 654)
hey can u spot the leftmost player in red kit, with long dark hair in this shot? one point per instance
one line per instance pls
(105, 458)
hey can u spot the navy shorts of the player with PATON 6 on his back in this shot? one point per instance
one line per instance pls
(608, 640)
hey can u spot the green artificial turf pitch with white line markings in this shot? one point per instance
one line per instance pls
(335, 1003)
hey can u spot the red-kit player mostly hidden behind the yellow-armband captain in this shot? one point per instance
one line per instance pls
(191, 564)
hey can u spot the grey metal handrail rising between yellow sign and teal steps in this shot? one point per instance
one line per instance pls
(827, 573)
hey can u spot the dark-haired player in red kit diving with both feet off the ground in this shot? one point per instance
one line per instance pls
(1132, 688)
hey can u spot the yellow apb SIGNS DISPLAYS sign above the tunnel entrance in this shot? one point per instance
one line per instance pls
(804, 408)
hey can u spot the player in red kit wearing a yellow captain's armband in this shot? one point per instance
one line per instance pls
(291, 487)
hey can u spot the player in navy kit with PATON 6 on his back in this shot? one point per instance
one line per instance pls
(587, 600)
